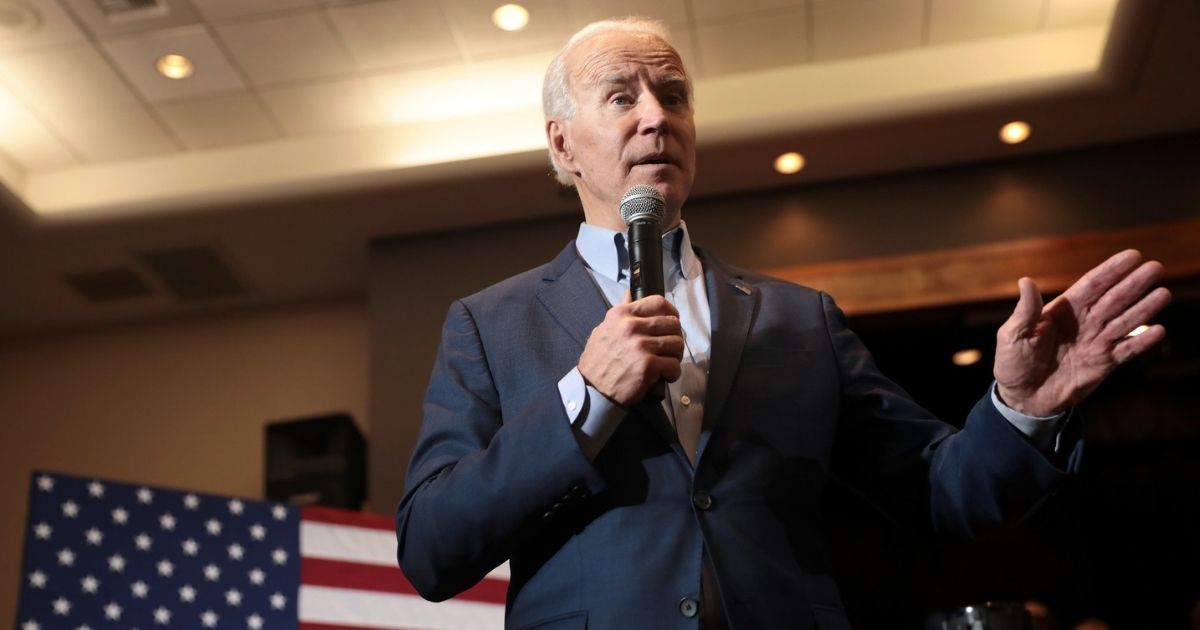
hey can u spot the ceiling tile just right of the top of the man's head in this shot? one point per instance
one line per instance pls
(752, 44)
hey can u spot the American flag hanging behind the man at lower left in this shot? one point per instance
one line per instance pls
(104, 555)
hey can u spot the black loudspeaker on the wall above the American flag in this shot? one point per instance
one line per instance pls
(317, 461)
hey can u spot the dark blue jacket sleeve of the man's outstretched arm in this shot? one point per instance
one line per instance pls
(983, 476)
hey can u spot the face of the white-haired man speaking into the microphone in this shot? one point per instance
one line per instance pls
(633, 124)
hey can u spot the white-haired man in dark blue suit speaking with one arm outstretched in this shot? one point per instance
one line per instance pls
(539, 446)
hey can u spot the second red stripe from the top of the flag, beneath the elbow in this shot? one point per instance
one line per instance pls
(335, 574)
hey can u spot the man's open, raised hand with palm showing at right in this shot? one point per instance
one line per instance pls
(1052, 357)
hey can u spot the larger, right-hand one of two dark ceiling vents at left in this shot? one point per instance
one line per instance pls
(194, 274)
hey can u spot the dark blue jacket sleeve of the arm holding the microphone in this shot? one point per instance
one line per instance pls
(487, 473)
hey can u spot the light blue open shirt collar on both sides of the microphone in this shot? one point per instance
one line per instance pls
(605, 253)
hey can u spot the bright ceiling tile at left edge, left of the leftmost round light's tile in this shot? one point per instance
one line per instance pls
(71, 79)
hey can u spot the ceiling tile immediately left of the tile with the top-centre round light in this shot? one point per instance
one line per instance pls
(394, 34)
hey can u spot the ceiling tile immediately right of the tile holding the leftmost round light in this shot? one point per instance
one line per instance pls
(286, 49)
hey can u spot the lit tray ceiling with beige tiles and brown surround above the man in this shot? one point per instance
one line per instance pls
(313, 127)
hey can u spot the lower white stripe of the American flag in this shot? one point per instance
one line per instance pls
(340, 607)
